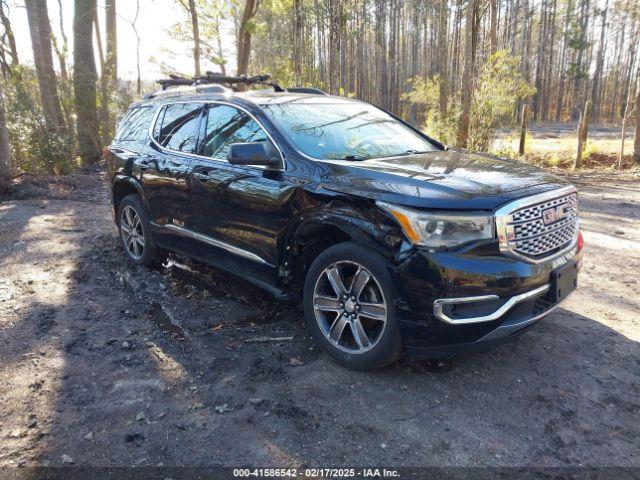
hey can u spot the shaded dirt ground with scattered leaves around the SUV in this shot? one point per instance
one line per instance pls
(106, 364)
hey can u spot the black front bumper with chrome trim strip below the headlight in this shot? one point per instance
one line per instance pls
(452, 302)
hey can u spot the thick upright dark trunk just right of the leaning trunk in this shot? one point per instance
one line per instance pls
(84, 81)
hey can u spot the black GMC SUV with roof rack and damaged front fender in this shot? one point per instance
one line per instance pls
(395, 241)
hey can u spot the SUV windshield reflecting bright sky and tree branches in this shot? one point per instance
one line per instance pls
(346, 130)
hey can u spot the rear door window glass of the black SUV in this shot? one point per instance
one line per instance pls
(177, 126)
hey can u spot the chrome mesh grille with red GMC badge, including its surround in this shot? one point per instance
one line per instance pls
(530, 227)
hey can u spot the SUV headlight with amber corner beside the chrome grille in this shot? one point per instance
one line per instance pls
(440, 229)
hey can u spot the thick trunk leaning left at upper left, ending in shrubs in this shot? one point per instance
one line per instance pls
(40, 31)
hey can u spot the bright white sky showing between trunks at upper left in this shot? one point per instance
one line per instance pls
(154, 20)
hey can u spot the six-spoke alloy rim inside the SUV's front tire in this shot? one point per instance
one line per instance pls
(350, 307)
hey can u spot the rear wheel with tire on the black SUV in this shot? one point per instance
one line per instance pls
(135, 233)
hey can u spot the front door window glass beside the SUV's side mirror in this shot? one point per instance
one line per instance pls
(227, 125)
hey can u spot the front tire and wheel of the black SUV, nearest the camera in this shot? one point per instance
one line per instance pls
(348, 307)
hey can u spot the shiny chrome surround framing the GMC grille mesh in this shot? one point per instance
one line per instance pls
(503, 218)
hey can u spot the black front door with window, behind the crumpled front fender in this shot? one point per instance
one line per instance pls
(240, 211)
